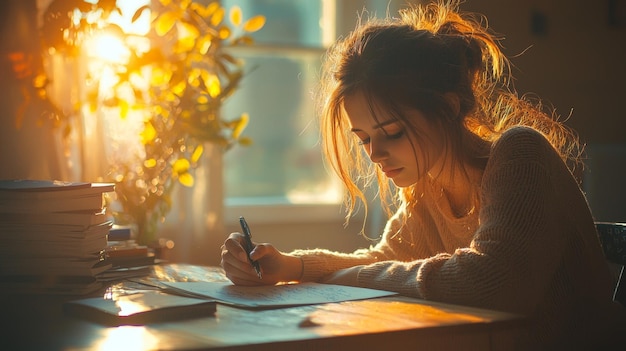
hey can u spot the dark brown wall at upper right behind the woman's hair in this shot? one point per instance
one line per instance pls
(574, 59)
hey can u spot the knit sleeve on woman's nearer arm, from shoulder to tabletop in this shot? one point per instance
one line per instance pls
(514, 250)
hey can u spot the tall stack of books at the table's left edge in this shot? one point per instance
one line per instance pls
(54, 236)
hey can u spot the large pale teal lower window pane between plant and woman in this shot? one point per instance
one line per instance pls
(284, 160)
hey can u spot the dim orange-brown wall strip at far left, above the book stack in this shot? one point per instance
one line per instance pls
(24, 128)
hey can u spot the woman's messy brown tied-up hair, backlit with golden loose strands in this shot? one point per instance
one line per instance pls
(418, 61)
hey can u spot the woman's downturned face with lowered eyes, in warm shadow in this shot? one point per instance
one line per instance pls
(401, 156)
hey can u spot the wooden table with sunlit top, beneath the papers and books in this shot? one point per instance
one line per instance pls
(38, 322)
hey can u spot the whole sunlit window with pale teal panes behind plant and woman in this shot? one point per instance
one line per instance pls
(283, 168)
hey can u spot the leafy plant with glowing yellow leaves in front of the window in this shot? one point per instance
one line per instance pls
(186, 75)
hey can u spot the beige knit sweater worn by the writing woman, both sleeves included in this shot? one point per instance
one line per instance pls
(530, 248)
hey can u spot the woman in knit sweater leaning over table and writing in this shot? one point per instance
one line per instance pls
(488, 212)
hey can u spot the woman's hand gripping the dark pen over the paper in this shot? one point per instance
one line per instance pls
(275, 265)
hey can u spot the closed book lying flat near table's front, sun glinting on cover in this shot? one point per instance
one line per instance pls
(140, 308)
